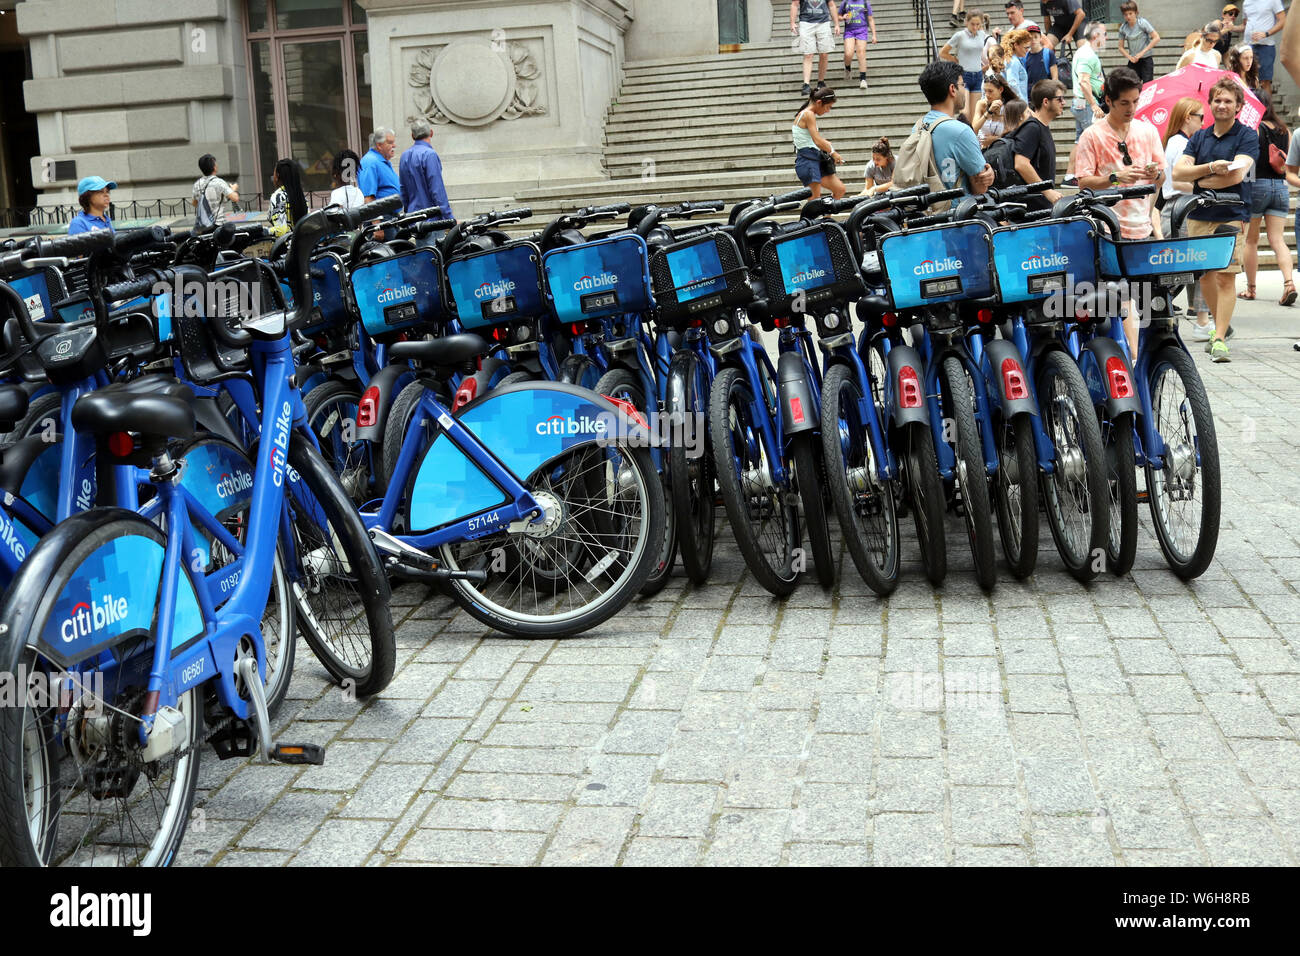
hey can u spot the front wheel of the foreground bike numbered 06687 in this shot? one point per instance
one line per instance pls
(343, 594)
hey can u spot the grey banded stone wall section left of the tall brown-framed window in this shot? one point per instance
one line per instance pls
(136, 92)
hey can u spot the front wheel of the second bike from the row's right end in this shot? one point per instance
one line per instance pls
(1076, 492)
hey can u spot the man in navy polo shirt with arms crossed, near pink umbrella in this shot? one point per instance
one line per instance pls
(1220, 158)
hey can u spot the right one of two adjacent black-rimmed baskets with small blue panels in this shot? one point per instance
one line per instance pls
(809, 266)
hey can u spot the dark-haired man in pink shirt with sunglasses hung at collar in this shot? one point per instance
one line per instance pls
(1124, 152)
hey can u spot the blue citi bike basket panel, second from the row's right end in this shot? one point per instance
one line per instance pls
(1039, 261)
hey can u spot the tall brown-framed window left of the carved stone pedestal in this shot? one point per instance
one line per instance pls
(310, 85)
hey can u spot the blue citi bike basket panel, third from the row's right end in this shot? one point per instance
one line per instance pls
(943, 263)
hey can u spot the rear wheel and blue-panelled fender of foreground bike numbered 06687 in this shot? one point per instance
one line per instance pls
(75, 786)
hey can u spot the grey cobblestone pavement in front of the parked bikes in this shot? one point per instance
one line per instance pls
(1137, 721)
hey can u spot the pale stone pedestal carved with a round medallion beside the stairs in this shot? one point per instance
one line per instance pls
(517, 93)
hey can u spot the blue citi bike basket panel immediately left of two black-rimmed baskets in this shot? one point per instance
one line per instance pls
(599, 279)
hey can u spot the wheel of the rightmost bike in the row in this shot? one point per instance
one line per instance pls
(1185, 495)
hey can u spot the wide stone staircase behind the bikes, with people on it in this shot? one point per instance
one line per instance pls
(720, 127)
